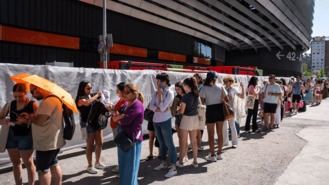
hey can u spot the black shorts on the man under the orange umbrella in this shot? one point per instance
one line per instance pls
(46, 159)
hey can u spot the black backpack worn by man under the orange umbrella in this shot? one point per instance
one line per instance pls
(68, 121)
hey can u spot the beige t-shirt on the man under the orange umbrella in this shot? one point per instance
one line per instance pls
(49, 135)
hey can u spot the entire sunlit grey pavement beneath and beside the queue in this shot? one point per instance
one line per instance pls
(297, 153)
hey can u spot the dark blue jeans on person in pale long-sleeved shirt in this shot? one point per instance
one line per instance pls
(163, 132)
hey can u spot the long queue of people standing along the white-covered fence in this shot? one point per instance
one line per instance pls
(196, 104)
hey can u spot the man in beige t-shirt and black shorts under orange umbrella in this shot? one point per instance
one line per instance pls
(47, 133)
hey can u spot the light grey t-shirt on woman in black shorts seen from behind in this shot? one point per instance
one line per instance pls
(212, 94)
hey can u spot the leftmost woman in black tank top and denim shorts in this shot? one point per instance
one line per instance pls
(19, 141)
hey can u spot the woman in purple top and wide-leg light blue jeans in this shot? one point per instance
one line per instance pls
(131, 121)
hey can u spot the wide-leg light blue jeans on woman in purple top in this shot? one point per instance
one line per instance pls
(129, 164)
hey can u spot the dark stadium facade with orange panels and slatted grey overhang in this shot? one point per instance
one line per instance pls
(269, 34)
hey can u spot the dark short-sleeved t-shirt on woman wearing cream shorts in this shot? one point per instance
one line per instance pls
(191, 101)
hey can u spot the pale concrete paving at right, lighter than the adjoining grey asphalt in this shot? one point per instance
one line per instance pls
(311, 166)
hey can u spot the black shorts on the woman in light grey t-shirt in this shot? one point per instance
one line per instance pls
(214, 113)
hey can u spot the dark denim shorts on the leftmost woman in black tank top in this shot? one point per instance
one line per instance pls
(19, 142)
